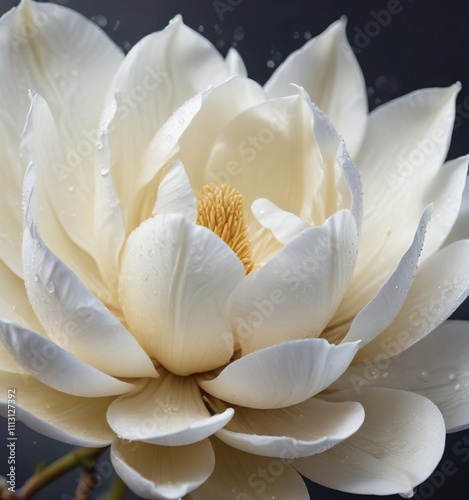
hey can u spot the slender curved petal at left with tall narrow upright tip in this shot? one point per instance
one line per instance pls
(73, 317)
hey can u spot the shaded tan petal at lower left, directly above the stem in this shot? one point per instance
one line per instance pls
(73, 420)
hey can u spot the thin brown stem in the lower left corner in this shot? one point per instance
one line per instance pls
(76, 458)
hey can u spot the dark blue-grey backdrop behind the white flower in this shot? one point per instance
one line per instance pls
(425, 45)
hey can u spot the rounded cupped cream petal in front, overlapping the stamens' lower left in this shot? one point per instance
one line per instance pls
(176, 277)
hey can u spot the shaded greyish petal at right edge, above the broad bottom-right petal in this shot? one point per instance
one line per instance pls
(436, 367)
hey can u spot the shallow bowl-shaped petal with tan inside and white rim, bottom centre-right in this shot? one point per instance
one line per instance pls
(297, 431)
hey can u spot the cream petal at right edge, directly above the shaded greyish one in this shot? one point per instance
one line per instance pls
(440, 285)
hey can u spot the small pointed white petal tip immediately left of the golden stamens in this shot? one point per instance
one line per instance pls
(175, 194)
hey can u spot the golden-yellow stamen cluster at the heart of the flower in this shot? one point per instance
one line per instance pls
(220, 209)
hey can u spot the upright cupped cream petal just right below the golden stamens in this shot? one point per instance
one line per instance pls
(296, 293)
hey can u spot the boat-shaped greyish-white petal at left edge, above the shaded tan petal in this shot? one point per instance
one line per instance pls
(55, 367)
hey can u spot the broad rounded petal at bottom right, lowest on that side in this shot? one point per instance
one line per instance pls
(398, 446)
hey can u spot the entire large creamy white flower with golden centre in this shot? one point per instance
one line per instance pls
(197, 278)
